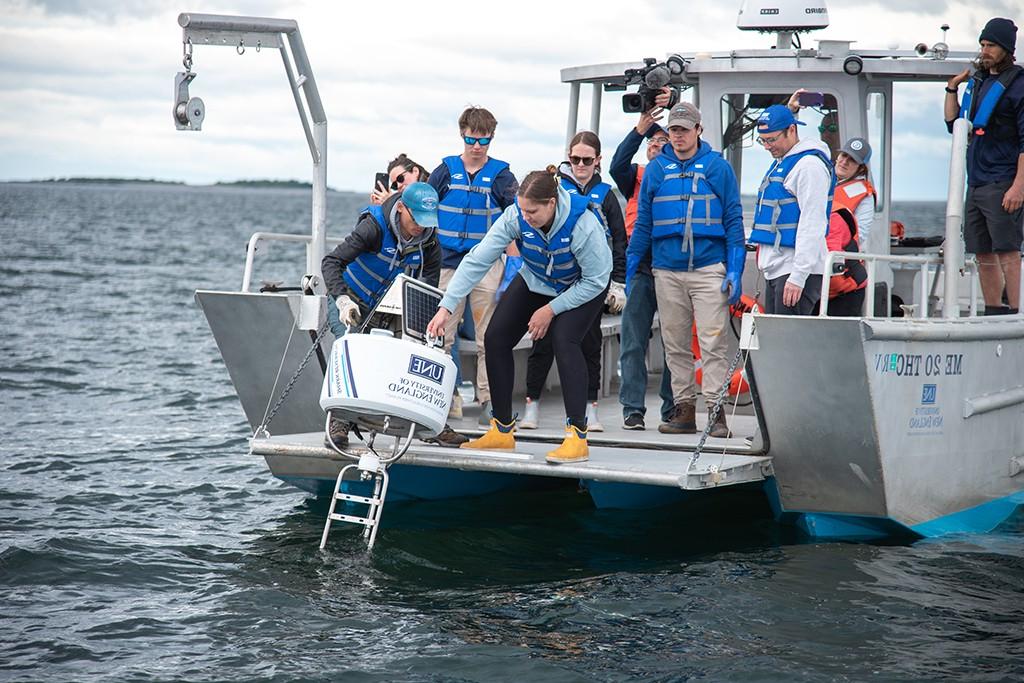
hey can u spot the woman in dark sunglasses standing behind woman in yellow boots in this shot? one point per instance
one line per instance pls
(581, 176)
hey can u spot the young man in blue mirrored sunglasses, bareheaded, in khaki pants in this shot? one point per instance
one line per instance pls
(475, 190)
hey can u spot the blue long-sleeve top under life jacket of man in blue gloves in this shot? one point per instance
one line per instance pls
(670, 253)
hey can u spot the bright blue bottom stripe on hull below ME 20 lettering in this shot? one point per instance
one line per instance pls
(979, 520)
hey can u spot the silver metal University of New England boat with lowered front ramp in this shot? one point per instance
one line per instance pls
(931, 441)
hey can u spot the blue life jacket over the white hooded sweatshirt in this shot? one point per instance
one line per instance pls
(777, 214)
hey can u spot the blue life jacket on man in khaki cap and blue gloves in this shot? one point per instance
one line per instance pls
(686, 206)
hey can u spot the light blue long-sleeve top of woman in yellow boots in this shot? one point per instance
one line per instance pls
(589, 246)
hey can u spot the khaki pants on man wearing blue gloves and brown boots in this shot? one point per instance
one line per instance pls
(684, 296)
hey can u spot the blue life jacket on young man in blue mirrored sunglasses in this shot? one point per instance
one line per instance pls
(467, 210)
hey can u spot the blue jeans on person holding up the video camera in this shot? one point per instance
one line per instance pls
(637, 320)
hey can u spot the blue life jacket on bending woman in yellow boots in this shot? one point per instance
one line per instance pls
(552, 260)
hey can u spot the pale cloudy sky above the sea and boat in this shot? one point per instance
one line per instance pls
(88, 86)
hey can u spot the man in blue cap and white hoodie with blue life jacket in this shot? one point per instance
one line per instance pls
(792, 215)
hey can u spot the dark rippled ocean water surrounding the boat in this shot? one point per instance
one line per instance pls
(140, 542)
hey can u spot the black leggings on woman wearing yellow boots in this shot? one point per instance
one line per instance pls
(567, 333)
